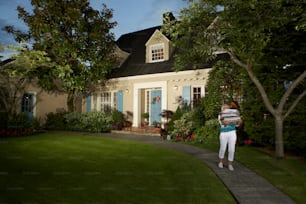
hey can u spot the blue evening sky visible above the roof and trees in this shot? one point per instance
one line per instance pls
(130, 15)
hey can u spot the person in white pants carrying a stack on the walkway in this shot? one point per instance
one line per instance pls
(228, 135)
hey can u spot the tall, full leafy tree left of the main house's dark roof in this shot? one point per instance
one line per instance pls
(76, 37)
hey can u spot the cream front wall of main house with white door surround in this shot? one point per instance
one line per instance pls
(171, 83)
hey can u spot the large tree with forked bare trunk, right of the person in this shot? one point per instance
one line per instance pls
(248, 31)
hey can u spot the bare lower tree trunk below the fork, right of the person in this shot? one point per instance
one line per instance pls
(279, 142)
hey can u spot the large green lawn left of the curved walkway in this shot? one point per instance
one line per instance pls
(69, 168)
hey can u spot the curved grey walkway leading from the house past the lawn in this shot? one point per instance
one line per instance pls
(245, 185)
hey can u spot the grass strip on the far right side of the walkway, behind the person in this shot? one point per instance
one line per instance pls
(288, 174)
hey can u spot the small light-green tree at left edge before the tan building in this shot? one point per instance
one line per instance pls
(15, 73)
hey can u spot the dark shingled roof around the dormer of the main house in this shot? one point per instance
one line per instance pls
(135, 65)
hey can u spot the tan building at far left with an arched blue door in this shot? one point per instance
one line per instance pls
(24, 95)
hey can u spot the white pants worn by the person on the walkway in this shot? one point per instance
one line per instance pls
(227, 138)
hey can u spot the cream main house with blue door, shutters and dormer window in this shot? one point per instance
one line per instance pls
(145, 81)
